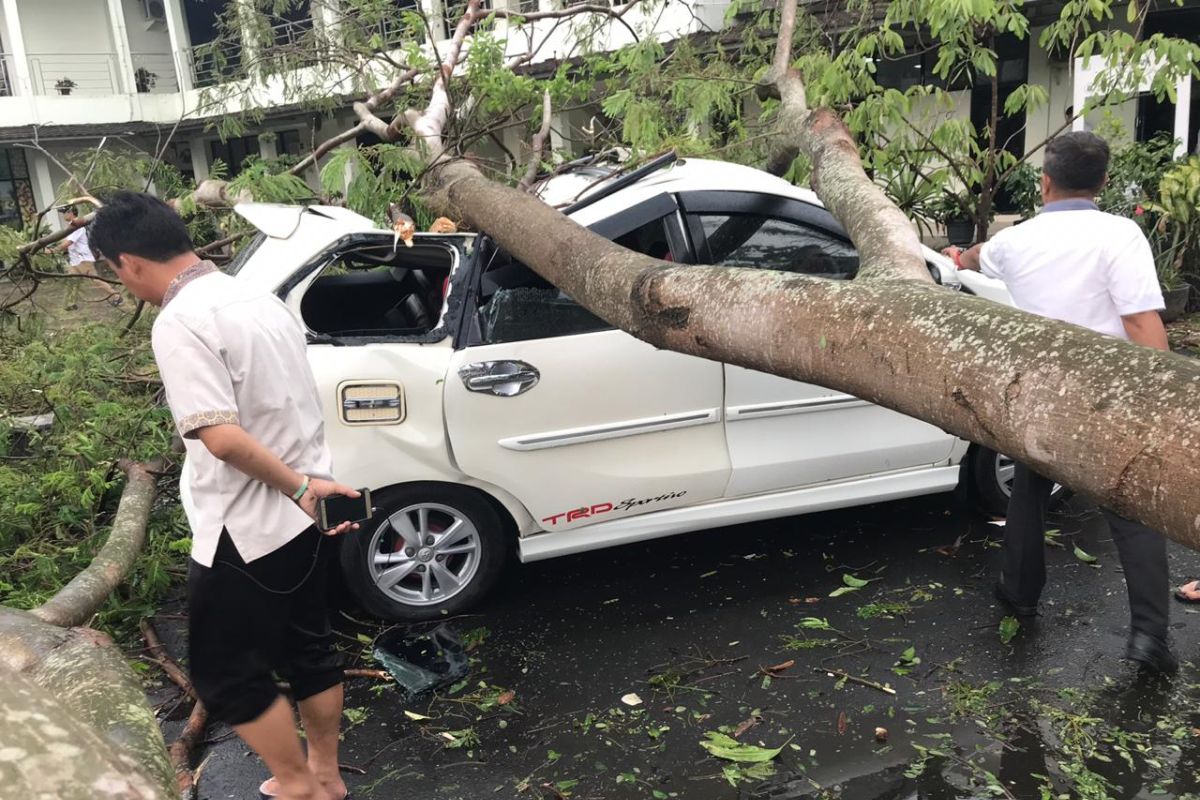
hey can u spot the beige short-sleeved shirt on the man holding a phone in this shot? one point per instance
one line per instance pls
(231, 354)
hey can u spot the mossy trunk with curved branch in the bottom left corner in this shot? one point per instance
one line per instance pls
(74, 718)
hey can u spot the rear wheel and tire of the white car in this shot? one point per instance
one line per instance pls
(443, 561)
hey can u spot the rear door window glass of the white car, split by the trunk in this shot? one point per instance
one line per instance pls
(520, 305)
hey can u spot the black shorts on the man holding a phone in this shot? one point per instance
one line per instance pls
(249, 623)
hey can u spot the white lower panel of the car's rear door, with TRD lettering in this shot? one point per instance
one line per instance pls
(611, 424)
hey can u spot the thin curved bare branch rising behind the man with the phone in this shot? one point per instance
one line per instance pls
(77, 601)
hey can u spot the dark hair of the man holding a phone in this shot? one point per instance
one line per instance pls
(139, 225)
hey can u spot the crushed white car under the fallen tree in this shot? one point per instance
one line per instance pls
(491, 414)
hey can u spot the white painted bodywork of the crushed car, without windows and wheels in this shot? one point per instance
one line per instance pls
(619, 442)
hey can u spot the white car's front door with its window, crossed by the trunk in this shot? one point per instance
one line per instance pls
(784, 434)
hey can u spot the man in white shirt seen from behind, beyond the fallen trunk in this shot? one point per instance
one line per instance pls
(1079, 266)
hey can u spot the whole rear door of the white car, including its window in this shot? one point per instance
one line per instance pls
(584, 424)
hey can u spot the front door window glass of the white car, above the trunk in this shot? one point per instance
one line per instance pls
(773, 244)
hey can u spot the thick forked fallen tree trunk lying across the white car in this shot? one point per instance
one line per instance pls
(1105, 417)
